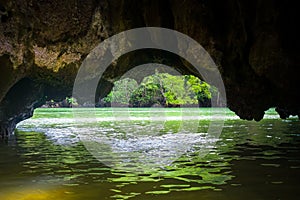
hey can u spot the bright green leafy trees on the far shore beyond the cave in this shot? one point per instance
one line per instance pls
(164, 89)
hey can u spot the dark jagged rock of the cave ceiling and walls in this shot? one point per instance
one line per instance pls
(254, 43)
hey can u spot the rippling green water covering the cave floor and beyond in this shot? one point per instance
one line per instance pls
(161, 154)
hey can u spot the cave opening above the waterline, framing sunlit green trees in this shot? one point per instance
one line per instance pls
(152, 85)
